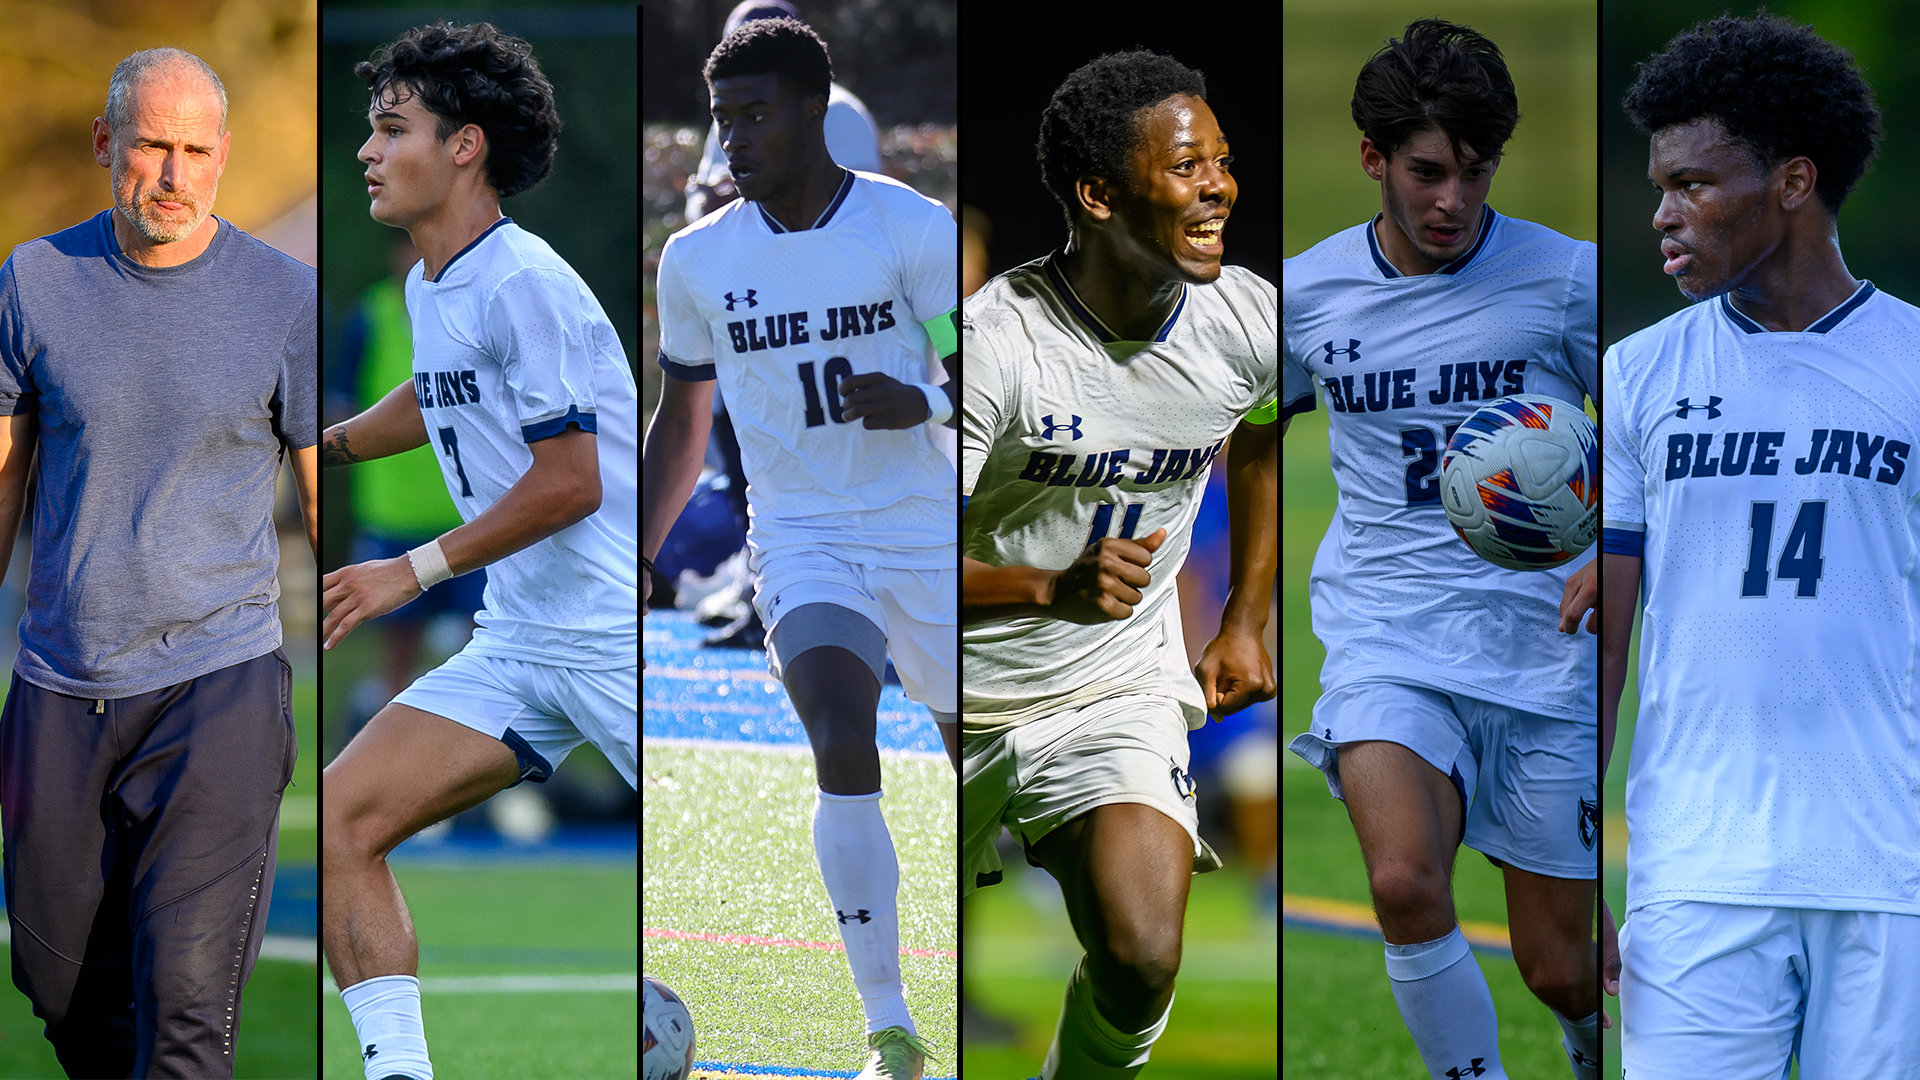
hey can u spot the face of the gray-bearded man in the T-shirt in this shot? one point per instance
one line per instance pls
(168, 160)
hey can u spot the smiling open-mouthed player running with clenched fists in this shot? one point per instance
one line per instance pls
(1101, 385)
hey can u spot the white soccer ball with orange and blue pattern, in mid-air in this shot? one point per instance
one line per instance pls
(1522, 481)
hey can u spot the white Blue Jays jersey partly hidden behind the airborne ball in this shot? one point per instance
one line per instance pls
(1404, 360)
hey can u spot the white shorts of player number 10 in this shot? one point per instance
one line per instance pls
(919, 614)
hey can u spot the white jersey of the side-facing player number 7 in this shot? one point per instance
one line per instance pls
(510, 349)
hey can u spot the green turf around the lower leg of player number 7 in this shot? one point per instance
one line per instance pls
(471, 921)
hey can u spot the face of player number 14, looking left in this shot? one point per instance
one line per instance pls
(1717, 214)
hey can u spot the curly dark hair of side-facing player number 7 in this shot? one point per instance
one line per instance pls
(475, 76)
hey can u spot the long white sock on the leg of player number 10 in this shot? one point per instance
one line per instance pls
(863, 881)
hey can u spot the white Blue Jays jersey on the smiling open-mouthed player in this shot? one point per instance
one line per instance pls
(1070, 435)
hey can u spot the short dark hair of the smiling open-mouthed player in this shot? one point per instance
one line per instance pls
(1092, 124)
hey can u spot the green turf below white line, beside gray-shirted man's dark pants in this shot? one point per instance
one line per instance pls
(276, 1039)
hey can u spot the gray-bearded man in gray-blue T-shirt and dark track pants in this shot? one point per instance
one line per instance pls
(164, 364)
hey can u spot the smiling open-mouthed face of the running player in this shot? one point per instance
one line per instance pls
(1174, 209)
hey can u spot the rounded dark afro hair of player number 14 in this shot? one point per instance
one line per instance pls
(1779, 89)
